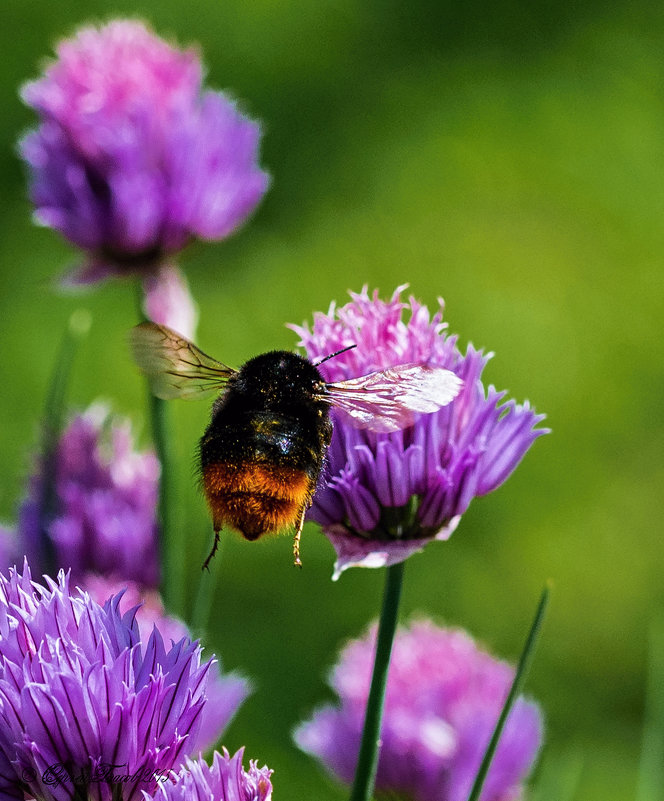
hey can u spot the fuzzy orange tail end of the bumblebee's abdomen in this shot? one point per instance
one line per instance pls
(255, 498)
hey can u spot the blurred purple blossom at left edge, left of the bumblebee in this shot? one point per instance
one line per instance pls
(103, 518)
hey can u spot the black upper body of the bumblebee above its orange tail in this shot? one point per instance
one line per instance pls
(272, 412)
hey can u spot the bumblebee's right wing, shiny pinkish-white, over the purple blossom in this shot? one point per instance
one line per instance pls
(389, 400)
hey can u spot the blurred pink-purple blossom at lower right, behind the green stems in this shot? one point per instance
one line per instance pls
(444, 696)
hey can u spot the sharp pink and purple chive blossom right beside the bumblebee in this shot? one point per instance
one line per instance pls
(384, 496)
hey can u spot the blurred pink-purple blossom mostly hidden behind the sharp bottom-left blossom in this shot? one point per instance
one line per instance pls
(225, 691)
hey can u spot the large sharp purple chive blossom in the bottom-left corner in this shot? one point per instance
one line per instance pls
(87, 711)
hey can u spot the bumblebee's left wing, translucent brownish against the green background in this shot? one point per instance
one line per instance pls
(175, 367)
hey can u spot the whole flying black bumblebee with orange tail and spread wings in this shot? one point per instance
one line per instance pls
(262, 453)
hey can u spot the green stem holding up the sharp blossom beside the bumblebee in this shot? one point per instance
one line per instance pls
(367, 762)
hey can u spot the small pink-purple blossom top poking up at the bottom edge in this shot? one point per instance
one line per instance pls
(225, 780)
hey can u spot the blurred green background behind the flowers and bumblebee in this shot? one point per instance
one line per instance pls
(508, 156)
